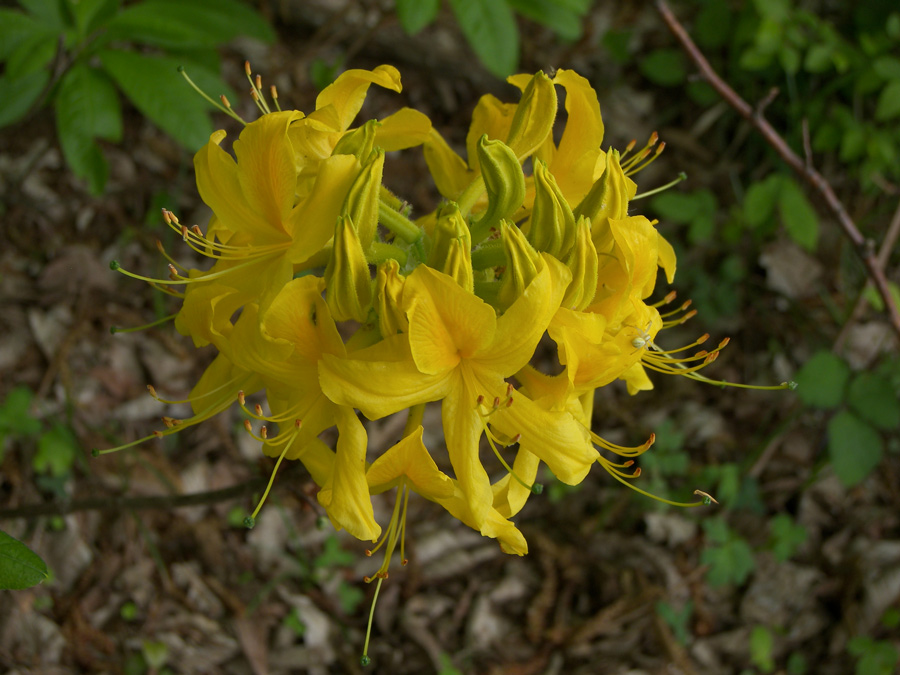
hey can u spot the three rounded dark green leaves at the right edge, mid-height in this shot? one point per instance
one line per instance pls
(865, 404)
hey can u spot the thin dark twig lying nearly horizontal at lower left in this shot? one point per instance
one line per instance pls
(62, 508)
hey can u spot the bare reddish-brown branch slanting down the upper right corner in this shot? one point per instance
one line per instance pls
(865, 249)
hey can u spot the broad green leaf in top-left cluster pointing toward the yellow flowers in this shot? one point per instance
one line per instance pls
(155, 87)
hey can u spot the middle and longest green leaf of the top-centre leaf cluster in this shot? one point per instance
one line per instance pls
(491, 30)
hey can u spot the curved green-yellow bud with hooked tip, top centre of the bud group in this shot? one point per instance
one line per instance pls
(504, 182)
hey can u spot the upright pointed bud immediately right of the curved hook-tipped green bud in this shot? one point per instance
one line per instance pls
(551, 227)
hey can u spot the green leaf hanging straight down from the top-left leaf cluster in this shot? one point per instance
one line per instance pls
(87, 107)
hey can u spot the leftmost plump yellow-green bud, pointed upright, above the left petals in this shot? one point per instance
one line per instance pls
(347, 282)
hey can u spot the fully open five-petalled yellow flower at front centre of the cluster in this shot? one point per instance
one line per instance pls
(458, 351)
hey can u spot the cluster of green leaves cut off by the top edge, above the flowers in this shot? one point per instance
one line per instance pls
(490, 25)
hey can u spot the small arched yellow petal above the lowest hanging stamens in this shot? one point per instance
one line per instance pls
(409, 459)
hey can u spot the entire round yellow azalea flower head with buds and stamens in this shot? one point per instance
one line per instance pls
(345, 303)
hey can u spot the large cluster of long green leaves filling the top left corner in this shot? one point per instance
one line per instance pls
(74, 56)
